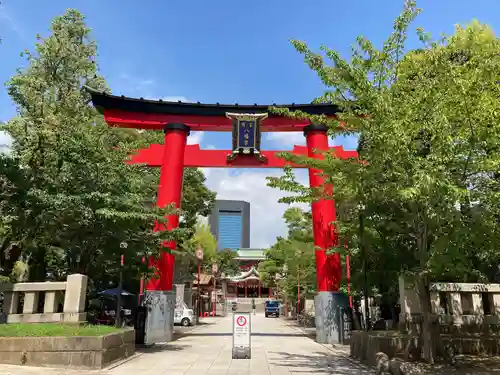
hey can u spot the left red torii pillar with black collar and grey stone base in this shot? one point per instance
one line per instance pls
(169, 193)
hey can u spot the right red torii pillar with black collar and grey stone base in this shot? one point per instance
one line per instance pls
(329, 300)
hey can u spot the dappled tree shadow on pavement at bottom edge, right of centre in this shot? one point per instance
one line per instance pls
(317, 362)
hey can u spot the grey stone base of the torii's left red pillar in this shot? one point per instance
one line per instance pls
(160, 306)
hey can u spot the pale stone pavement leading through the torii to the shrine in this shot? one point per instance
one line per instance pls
(277, 349)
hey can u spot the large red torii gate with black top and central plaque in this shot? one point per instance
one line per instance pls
(177, 119)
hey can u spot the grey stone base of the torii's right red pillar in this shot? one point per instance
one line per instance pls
(327, 316)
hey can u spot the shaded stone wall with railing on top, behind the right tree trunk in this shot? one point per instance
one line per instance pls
(468, 315)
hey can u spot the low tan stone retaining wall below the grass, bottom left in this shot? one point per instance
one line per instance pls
(76, 352)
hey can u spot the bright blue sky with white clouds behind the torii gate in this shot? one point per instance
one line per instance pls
(223, 51)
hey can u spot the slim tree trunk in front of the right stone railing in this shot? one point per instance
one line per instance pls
(429, 340)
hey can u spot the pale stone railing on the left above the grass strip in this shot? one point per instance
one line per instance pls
(71, 293)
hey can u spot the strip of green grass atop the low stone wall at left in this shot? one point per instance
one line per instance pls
(54, 329)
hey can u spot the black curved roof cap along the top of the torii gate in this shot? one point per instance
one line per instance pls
(103, 101)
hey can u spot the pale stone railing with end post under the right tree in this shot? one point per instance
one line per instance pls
(454, 303)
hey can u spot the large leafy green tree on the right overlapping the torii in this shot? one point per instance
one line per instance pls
(430, 172)
